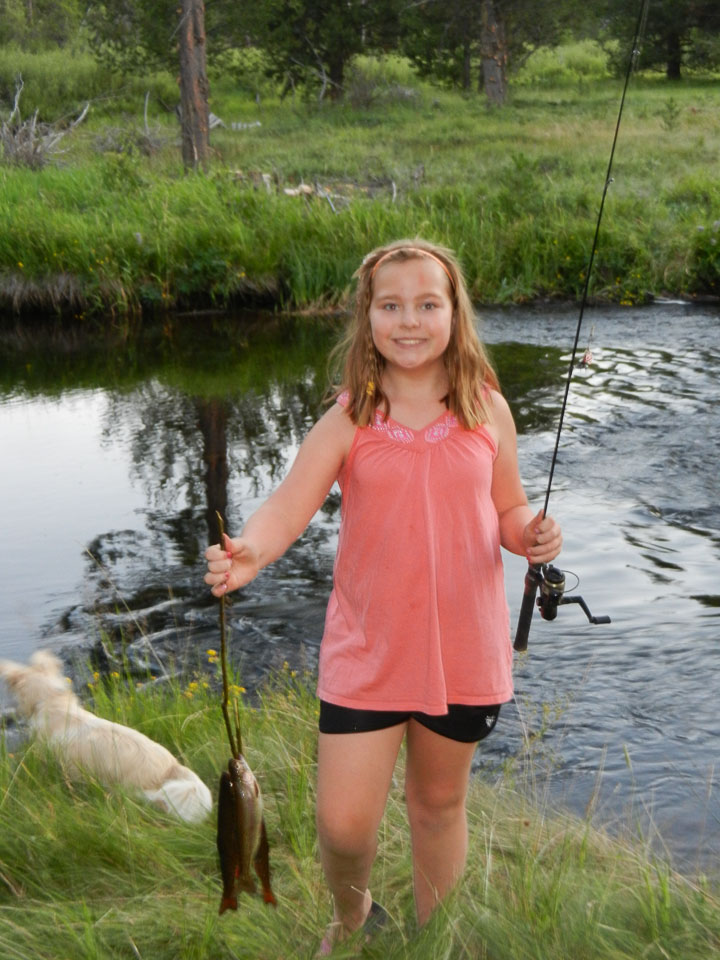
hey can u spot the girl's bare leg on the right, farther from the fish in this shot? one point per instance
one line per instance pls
(436, 784)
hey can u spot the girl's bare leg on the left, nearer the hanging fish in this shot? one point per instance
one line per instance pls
(354, 776)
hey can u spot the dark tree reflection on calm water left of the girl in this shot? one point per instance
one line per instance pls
(212, 431)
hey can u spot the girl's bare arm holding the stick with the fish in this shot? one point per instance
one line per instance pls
(285, 514)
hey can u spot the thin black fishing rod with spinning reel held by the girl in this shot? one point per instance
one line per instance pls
(546, 578)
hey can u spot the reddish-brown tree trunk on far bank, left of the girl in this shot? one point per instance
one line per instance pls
(194, 88)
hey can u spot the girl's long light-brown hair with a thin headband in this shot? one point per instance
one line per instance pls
(470, 373)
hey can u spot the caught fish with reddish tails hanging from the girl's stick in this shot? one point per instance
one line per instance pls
(241, 836)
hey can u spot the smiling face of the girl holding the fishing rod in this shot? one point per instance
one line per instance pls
(411, 313)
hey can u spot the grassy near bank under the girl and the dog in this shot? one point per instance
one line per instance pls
(93, 875)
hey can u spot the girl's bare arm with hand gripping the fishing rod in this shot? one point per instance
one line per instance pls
(522, 532)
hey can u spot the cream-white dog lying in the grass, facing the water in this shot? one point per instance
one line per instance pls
(111, 752)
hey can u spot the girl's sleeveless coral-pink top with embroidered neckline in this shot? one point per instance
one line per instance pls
(417, 617)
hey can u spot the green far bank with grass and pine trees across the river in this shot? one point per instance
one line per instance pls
(324, 127)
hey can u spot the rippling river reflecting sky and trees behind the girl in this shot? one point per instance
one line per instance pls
(118, 448)
